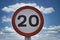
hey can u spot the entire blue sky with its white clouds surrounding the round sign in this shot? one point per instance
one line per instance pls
(49, 8)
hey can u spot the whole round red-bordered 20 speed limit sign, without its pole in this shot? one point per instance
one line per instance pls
(27, 21)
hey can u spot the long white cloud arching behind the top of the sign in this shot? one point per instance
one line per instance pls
(14, 7)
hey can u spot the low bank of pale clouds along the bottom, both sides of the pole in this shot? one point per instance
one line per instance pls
(8, 33)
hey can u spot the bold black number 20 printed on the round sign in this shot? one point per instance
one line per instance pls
(24, 25)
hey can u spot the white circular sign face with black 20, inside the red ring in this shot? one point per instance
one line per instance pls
(27, 21)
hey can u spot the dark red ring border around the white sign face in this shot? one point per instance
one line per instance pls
(27, 34)
